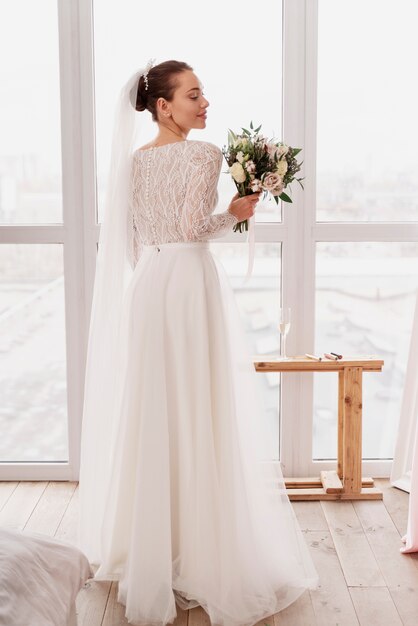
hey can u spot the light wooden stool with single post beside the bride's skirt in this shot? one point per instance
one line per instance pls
(346, 482)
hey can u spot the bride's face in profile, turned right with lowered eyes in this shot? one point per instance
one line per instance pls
(188, 107)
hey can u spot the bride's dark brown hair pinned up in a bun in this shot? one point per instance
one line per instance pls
(162, 83)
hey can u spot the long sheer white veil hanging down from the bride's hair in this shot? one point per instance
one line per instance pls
(113, 271)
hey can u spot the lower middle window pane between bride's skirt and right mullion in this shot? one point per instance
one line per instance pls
(258, 301)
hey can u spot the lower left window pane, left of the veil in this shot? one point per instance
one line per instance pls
(33, 405)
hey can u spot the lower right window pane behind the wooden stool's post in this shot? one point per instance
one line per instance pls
(365, 301)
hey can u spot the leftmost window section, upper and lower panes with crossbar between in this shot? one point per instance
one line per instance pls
(33, 368)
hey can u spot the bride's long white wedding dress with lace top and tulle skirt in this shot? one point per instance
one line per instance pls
(192, 516)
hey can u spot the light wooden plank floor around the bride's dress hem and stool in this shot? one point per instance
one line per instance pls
(364, 578)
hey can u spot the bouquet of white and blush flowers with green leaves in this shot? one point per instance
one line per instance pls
(260, 164)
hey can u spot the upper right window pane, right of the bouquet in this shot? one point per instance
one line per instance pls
(367, 168)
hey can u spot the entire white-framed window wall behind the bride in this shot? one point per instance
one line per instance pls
(343, 256)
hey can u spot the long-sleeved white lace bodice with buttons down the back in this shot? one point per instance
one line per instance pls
(174, 193)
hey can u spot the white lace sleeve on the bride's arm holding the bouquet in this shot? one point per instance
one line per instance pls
(202, 198)
